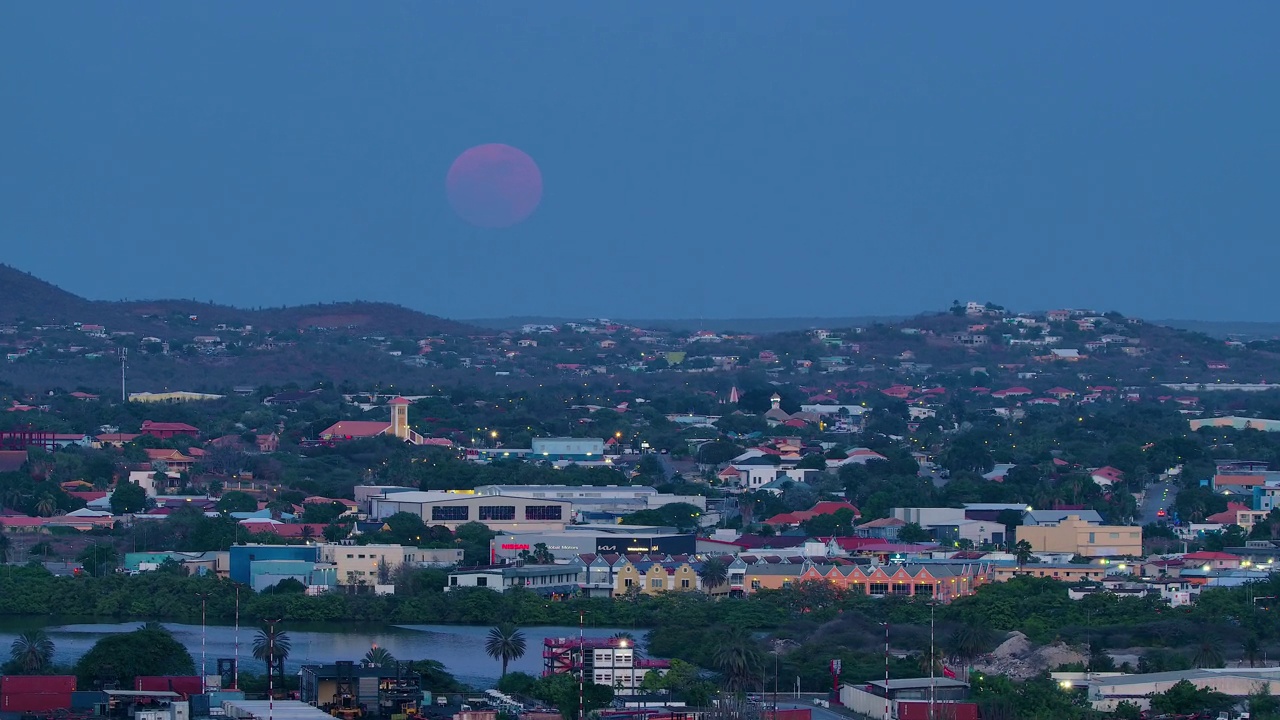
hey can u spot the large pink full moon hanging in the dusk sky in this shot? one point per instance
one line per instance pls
(495, 186)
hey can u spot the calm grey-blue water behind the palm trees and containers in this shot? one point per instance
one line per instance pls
(459, 648)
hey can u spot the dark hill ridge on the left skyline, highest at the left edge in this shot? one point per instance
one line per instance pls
(28, 298)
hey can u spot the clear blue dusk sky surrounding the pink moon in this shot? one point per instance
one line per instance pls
(700, 160)
